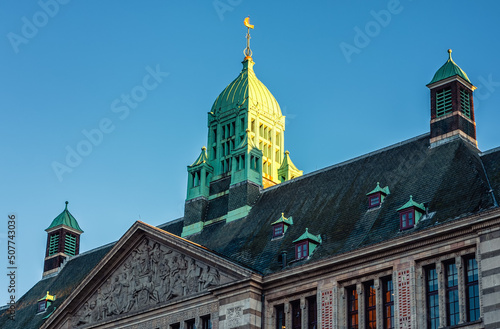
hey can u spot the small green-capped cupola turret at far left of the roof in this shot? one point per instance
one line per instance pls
(63, 240)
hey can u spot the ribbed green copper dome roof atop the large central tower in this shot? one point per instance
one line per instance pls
(246, 91)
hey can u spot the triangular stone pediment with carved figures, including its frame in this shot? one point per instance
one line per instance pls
(147, 269)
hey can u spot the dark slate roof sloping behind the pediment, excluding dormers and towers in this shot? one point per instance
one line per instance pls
(450, 178)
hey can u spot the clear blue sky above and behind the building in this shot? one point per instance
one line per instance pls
(350, 77)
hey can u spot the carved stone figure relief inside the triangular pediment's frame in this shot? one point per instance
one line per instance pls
(152, 274)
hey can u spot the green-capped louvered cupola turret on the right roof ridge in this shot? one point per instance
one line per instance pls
(452, 106)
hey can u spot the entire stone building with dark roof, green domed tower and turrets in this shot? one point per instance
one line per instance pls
(404, 237)
